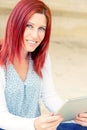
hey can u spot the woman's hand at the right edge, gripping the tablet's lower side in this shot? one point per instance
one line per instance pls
(81, 119)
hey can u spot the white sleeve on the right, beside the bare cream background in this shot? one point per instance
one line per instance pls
(49, 96)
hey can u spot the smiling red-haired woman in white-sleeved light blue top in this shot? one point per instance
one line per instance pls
(25, 74)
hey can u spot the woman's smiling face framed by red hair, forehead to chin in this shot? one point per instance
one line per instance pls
(34, 32)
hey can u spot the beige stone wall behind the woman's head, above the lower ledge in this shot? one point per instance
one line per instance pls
(69, 19)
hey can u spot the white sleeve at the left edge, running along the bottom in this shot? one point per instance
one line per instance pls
(9, 121)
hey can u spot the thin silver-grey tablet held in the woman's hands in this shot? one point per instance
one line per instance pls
(73, 107)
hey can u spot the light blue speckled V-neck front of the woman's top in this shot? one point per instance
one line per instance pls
(23, 98)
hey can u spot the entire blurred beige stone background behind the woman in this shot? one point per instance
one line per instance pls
(68, 44)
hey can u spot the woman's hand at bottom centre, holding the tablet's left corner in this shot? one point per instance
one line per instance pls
(48, 122)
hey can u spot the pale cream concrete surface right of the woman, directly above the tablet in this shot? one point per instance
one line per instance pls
(69, 68)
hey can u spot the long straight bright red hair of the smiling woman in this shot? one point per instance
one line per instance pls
(15, 28)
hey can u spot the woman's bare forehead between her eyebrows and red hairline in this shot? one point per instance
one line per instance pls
(38, 18)
